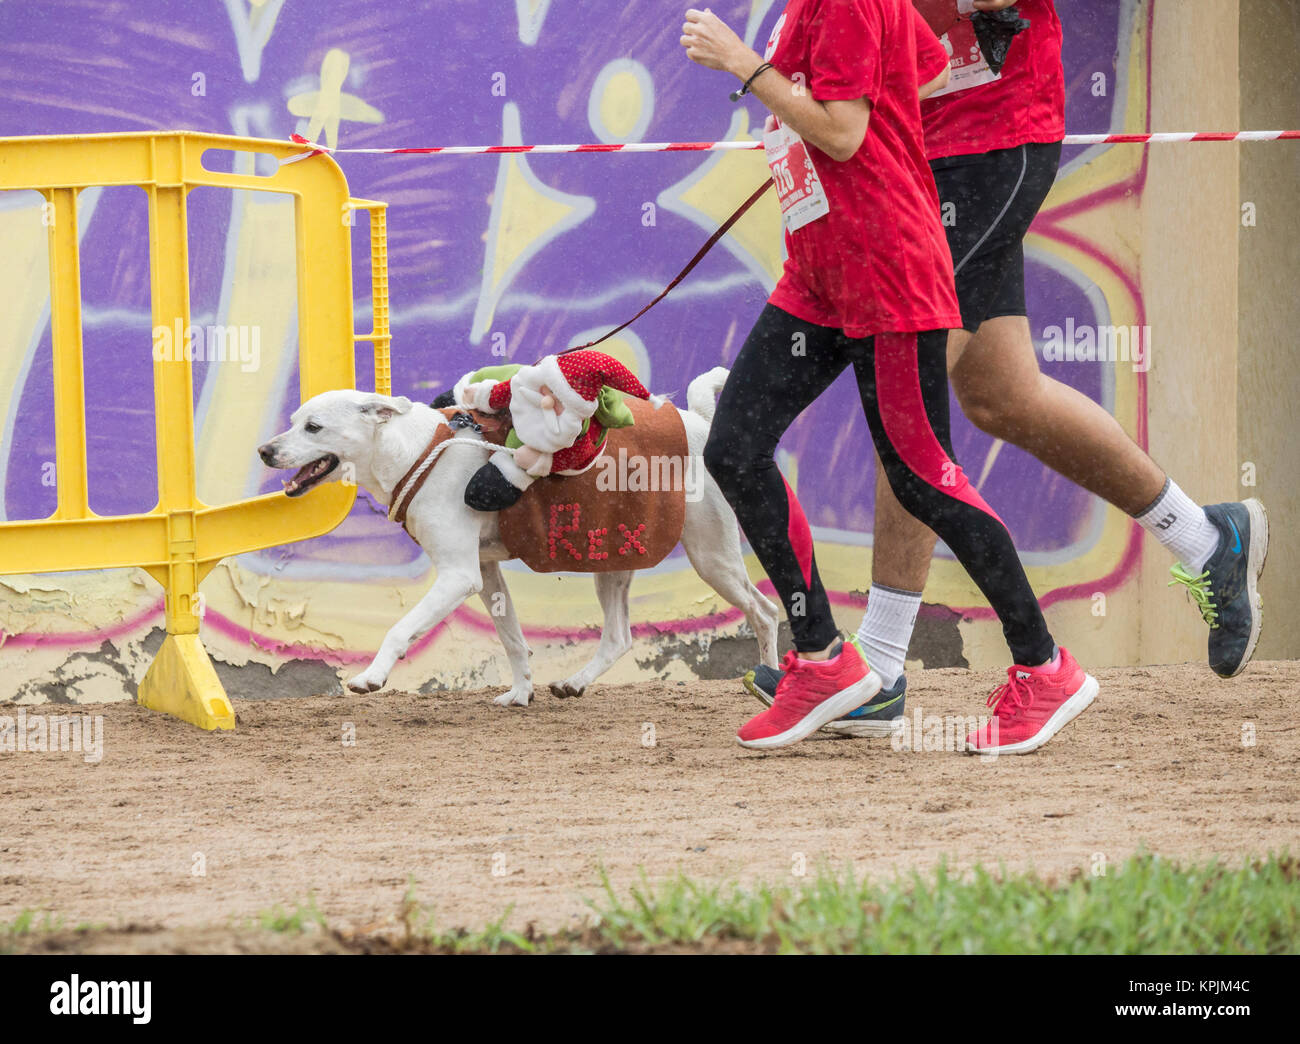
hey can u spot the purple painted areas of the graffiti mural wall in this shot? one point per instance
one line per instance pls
(427, 68)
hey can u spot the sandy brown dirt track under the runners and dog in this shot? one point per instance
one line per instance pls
(488, 808)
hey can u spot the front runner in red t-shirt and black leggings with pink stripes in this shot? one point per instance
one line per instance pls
(869, 284)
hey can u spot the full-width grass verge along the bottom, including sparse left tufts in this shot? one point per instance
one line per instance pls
(1149, 906)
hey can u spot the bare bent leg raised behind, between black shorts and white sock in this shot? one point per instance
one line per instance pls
(1000, 388)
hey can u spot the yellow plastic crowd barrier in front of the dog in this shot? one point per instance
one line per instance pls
(181, 539)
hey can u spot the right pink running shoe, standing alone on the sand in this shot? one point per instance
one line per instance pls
(1033, 707)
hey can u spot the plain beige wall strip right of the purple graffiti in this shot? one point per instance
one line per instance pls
(1190, 283)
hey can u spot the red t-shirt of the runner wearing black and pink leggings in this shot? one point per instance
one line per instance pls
(878, 262)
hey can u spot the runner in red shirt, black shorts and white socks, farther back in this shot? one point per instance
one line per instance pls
(995, 146)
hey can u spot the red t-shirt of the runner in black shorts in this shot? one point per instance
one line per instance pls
(980, 112)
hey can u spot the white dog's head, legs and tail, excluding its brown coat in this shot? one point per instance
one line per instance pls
(374, 440)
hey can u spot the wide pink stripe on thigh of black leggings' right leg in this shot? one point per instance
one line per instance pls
(903, 413)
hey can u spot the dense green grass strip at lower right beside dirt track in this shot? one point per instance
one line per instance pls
(1147, 906)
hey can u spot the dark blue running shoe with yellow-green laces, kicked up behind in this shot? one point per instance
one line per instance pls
(1227, 592)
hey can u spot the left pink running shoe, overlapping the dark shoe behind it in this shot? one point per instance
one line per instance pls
(811, 695)
